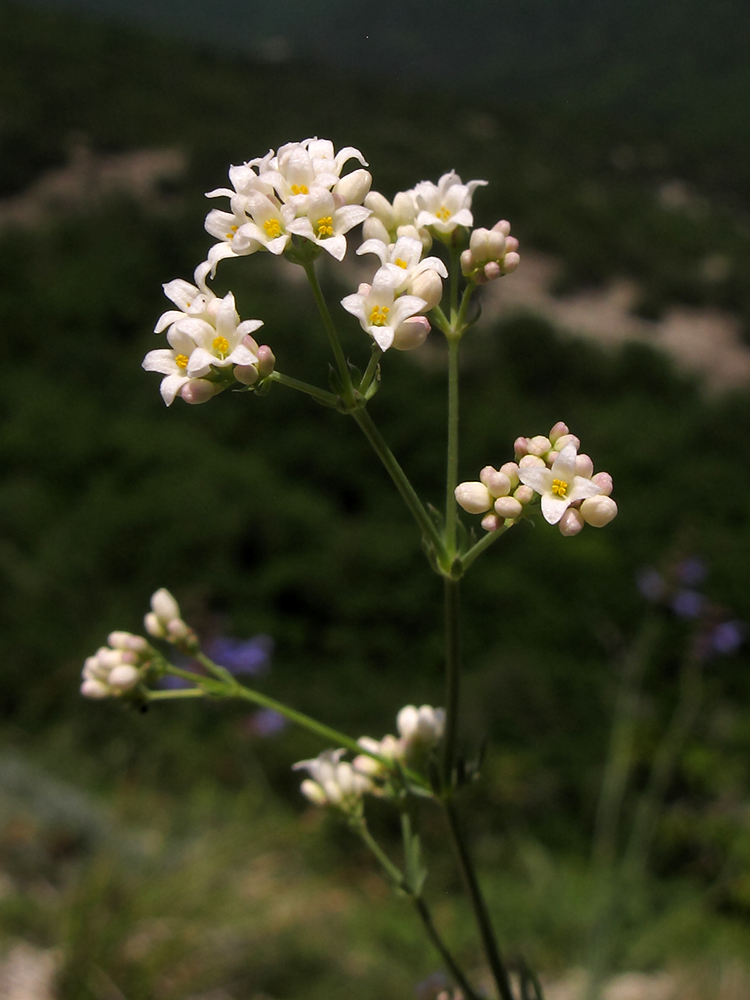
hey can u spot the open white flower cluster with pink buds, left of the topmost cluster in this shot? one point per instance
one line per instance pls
(209, 347)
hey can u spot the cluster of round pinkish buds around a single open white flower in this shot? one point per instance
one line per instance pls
(571, 494)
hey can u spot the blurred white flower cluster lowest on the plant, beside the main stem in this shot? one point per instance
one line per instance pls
(342, 785)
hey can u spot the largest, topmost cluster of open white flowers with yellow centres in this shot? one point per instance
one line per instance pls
(297, 191)
